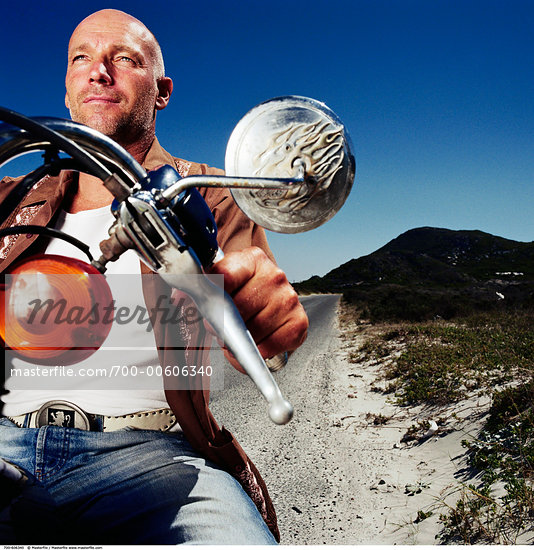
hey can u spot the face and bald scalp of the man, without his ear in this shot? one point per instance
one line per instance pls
(112, 77)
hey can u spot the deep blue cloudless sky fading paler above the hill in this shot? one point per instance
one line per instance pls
(438, 97)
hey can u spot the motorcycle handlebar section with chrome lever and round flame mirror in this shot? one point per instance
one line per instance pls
(289, 165)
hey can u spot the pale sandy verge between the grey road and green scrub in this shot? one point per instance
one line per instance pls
(392, 480)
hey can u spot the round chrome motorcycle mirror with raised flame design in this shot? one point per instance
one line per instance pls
(291, 137)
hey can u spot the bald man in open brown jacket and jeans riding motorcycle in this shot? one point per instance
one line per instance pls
(147, 485)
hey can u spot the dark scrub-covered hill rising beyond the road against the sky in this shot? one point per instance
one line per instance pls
(428, 272)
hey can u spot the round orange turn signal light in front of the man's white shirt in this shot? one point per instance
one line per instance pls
(55, 310)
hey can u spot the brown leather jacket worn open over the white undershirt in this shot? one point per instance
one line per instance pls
(191, 404)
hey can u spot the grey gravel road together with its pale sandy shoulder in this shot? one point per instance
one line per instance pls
(335, 476)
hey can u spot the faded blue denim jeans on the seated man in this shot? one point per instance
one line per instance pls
(133, 487)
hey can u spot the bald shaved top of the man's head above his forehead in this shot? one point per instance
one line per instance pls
(121, 20)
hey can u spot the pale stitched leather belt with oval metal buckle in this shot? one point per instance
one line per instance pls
(69, 415)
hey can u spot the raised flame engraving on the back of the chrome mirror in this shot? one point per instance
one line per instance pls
(313, 151)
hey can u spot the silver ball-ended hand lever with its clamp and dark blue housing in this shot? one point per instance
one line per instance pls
(175, 234)
